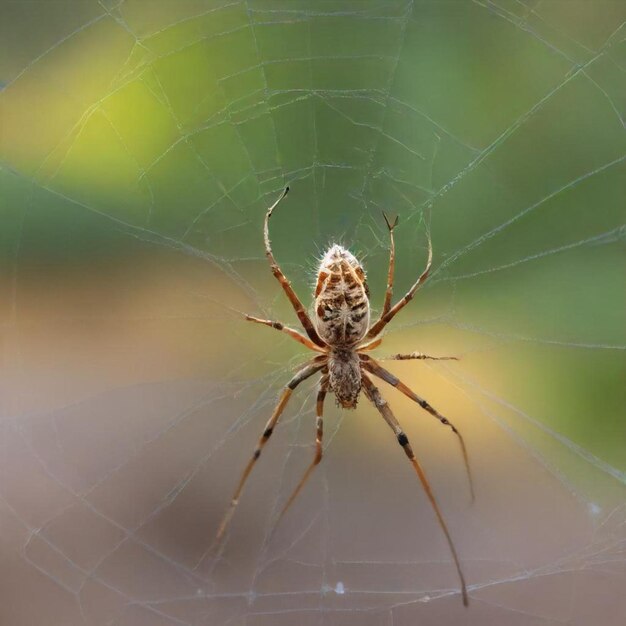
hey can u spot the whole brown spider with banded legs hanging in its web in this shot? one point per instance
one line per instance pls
(342, 335)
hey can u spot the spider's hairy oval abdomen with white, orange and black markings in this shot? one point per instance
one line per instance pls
(342, 308)
